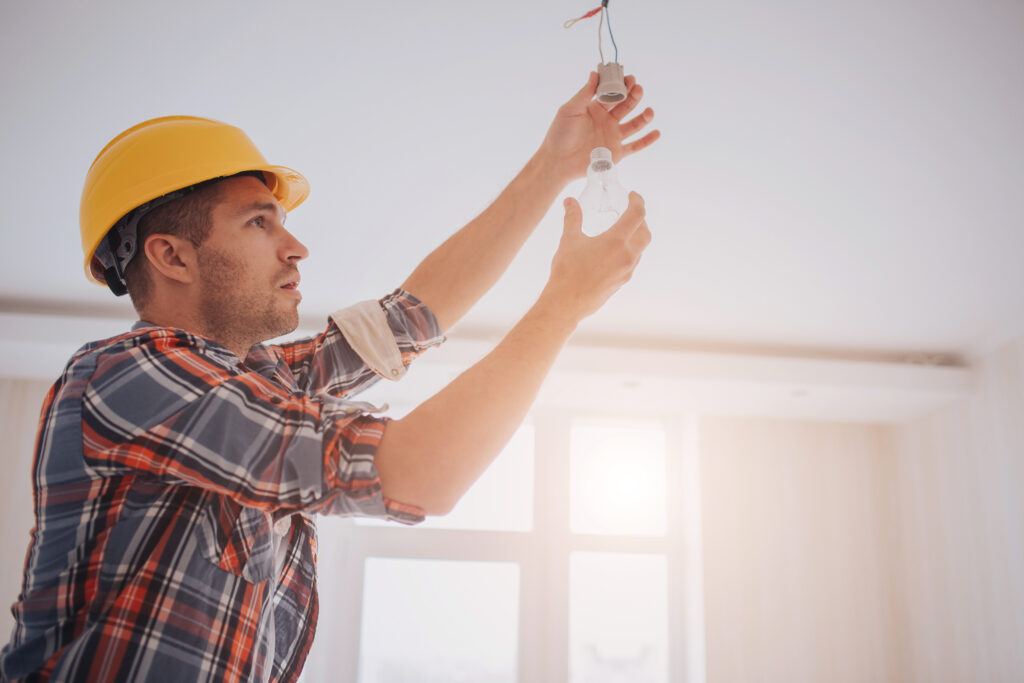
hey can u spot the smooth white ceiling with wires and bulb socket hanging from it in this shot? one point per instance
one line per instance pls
(831, 176)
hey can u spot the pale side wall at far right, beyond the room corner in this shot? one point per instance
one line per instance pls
(961, 484)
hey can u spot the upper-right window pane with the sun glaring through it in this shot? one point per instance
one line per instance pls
(618, 480)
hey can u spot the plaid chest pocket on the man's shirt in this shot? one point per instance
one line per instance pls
(237, 539)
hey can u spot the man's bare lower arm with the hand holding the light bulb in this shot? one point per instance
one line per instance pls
(434, 455)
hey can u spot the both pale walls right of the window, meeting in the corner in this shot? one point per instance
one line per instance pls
(851, 552)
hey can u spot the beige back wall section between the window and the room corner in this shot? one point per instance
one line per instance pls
(797, 536)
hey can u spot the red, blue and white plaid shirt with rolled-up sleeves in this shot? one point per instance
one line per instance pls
(175, 488)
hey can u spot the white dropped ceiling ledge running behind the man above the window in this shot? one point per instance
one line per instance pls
(648, 377)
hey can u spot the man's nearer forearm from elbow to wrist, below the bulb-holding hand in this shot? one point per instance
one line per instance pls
(434, 455)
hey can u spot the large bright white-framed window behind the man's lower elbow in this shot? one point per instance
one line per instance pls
(557, 566)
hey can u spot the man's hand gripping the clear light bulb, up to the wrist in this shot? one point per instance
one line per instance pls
(587, 271)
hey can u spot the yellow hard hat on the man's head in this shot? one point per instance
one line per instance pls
(160, 156)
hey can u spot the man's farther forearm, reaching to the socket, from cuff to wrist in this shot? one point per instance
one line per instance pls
(455, 276)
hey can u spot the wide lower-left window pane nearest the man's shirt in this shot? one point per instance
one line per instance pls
(435, 621)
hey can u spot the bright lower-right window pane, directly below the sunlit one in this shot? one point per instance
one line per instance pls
(618, 618)
